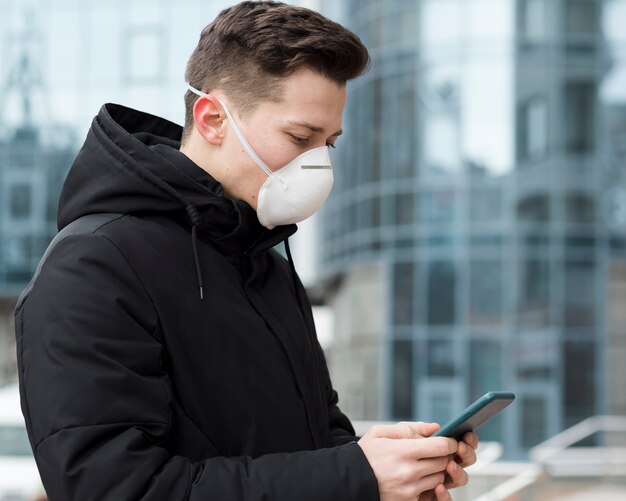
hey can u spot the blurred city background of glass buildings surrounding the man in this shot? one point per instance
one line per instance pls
(475, 238)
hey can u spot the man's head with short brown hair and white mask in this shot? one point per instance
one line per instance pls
(281, 71)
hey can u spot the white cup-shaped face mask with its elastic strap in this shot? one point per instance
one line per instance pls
(294, 192)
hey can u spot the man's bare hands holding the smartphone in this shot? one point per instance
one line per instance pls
(407, 465)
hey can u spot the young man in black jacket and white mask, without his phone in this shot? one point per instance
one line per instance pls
(166, 352)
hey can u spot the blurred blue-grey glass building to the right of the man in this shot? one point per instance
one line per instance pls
(476, 234)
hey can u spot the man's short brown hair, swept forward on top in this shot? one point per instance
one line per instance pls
(250, 46)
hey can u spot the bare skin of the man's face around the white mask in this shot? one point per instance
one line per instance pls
(308, 116)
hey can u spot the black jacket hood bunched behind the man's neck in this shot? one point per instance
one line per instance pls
(130, 163)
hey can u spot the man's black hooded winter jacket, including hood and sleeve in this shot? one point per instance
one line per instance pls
(135, 387)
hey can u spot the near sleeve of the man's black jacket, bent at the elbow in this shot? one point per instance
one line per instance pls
(97, 399)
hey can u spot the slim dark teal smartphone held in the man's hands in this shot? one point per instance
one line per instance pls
(476, 414)
